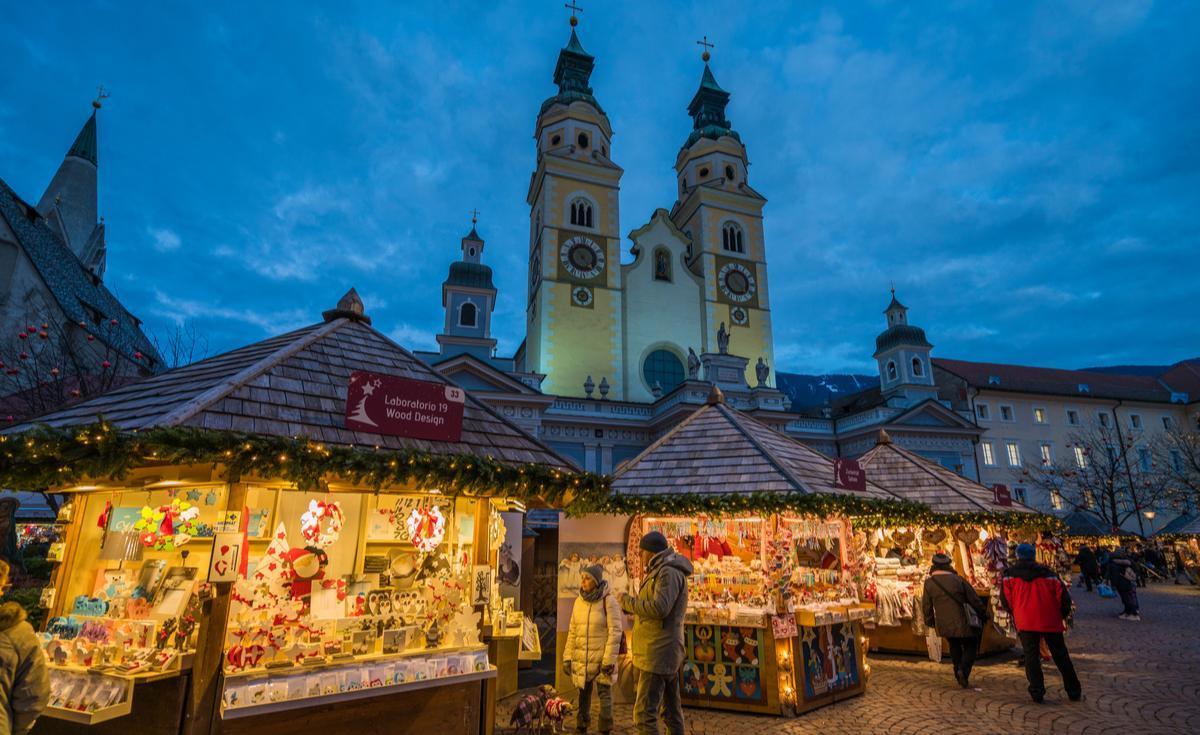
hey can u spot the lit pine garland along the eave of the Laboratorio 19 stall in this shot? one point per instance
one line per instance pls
(45, 458)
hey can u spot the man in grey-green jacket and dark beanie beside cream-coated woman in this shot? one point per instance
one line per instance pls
(658, 612)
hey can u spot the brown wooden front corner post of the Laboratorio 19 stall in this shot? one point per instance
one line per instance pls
(201, 713)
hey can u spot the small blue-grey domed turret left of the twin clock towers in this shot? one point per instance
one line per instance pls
(469, 298)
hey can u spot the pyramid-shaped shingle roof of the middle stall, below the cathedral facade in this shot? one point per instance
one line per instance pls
(719, 451)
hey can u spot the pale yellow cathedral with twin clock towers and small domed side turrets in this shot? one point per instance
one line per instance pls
(616, 355)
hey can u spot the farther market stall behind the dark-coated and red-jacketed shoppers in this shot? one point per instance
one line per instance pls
(971, 524)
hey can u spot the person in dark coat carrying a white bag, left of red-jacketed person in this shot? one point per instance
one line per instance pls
(943, 603)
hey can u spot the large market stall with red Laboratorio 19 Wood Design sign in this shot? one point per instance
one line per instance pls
(304, 530)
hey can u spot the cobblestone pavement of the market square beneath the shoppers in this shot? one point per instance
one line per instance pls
(1138, 678)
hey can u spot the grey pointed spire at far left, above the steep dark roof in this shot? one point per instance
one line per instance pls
(71, 204)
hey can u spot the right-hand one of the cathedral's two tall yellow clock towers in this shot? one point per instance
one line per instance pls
(723, 216)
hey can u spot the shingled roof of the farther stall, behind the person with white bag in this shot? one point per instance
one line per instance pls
(917, 479)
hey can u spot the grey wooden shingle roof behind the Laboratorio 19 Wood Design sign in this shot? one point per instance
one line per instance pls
(296, 385)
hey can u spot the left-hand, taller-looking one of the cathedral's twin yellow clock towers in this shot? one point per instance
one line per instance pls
(574, 314)
